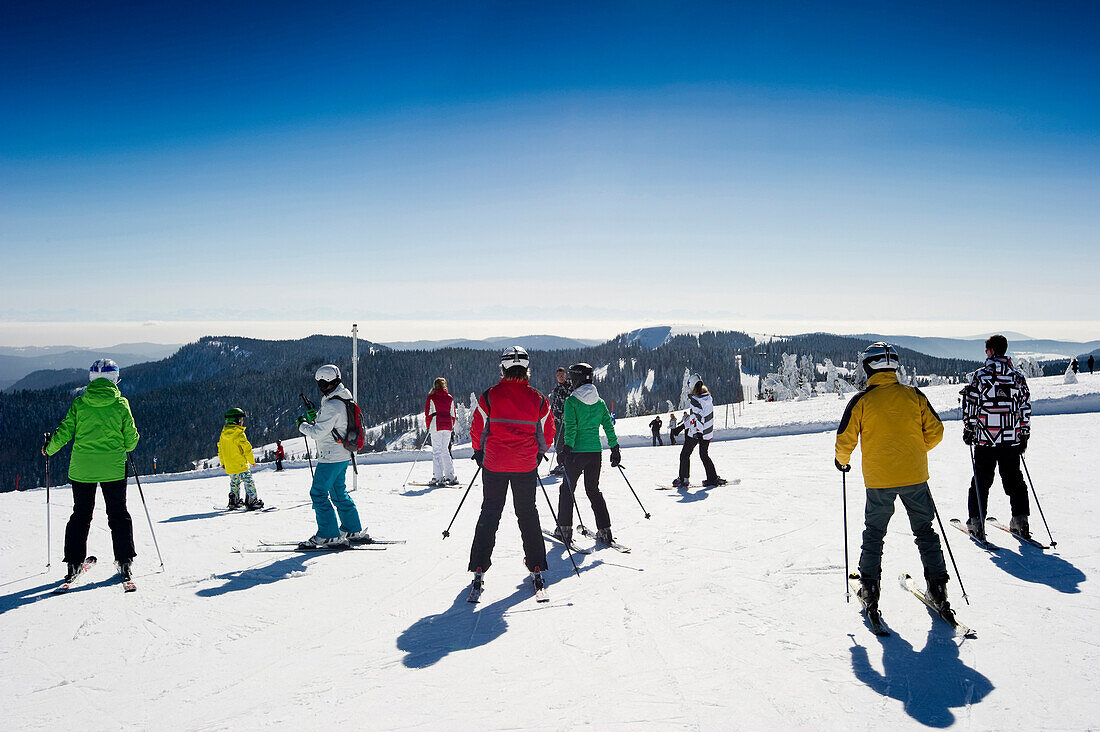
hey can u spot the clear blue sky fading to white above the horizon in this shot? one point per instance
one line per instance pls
(557, 162)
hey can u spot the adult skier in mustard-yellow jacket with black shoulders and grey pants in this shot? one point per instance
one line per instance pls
(898, 428)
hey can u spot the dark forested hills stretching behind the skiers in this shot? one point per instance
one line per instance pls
(179, 402)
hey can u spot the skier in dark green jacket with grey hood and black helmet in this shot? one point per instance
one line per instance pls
(582, 452)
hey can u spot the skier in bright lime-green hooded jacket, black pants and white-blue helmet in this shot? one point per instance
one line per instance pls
(103, 431)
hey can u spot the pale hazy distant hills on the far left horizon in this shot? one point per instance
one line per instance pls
(19, 363)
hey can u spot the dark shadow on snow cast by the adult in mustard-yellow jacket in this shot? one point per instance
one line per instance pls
(930, 683)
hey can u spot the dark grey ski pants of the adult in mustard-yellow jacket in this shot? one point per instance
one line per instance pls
(918, 502)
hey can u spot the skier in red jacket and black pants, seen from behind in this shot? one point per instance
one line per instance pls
(512, 431)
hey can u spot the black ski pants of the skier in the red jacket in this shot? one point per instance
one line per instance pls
(496, 493)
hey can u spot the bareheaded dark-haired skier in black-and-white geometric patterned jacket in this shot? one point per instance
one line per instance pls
(997, 422)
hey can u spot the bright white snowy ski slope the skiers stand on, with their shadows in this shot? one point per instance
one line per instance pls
(729, 614)
